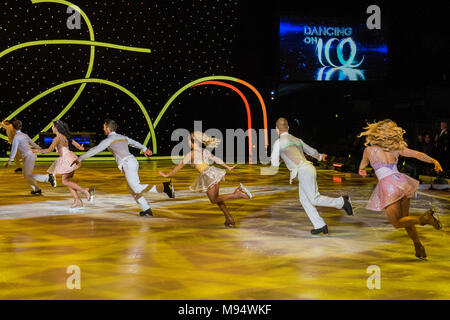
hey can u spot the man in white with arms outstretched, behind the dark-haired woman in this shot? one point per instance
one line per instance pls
(118, 145)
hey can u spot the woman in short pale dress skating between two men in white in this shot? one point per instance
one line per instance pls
(209, 179)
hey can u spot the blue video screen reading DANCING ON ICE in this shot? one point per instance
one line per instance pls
(330, 49)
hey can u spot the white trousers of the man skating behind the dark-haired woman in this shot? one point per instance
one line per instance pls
(130, 168)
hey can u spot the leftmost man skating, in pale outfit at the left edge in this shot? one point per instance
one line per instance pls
(21, 143)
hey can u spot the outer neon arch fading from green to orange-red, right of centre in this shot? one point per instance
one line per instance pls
(180, 91)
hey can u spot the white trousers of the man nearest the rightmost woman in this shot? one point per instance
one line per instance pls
(310, 197)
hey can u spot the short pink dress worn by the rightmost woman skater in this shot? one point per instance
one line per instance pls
(392, 185)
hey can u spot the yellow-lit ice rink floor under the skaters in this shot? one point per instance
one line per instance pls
(184, 251)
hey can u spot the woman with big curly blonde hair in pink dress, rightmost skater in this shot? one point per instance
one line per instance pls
(385, 144)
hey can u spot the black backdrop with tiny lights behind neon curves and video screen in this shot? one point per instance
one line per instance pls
(191, 39)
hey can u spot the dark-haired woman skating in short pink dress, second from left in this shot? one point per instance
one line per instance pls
(62, 165)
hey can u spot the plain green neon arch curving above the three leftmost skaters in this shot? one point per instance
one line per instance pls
(101, 81)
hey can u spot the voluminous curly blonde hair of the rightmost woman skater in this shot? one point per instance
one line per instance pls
(385, 134)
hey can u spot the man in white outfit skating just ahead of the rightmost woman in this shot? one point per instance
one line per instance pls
(291, 150)
